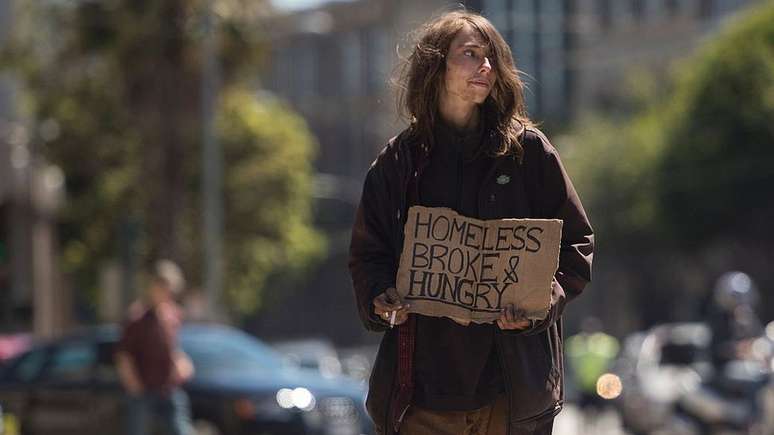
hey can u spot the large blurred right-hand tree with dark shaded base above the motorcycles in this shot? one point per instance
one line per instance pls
(679, 191)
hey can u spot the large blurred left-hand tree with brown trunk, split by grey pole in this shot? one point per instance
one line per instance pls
(114, 89)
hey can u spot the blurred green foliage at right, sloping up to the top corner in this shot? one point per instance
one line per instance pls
(695, 161)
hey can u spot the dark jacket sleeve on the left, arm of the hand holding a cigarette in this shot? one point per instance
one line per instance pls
(372, 262)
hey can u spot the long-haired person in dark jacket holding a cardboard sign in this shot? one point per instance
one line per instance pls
(470, 147)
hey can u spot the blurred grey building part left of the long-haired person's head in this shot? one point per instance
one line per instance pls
(334, 64)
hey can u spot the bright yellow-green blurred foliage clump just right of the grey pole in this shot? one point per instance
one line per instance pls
(268, 186)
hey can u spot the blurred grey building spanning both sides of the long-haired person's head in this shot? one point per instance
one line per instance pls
(333, 64)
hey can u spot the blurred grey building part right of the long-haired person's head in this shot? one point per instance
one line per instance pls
(576, 55)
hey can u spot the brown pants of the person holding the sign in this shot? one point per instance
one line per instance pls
(489, 420)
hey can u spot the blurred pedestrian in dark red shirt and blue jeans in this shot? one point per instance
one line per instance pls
(150, 363)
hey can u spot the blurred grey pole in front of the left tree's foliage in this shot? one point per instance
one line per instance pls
(212, 167)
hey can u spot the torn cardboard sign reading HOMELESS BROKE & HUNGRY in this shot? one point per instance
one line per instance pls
(468, 269)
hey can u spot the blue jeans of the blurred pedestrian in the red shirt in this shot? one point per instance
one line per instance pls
(170, 412)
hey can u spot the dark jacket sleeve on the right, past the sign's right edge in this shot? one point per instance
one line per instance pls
(555, 198)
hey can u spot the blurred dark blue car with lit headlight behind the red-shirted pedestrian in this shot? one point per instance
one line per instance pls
(241, 386)
